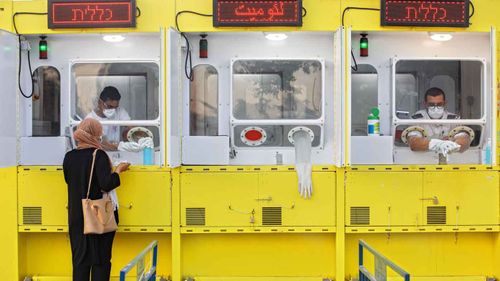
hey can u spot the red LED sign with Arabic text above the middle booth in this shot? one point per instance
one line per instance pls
(257, 13)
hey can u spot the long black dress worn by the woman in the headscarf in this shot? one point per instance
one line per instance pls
(92, 249)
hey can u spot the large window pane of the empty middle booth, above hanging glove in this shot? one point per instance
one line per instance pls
(277, 89)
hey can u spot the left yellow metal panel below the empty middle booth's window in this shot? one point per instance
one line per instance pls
(228, 198)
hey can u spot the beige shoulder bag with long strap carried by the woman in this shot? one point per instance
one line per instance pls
(98, 215)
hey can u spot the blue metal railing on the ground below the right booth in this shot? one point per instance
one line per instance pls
(381, 264)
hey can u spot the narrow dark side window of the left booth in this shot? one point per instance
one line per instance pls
(46, 101)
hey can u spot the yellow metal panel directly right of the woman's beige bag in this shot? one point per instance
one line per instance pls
(144, 198)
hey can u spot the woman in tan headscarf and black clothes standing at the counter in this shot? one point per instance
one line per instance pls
(91, 253)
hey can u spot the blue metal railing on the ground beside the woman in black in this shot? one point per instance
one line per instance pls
(139, 260)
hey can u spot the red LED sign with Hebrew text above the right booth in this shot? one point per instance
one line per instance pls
(425, 13)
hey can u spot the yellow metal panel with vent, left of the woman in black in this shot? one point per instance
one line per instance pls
(44, 188)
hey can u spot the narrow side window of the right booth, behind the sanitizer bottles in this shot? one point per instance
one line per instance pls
(364, 96)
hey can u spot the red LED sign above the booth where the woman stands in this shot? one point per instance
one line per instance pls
(91, 13)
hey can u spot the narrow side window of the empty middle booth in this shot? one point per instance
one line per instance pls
(203, 101)
